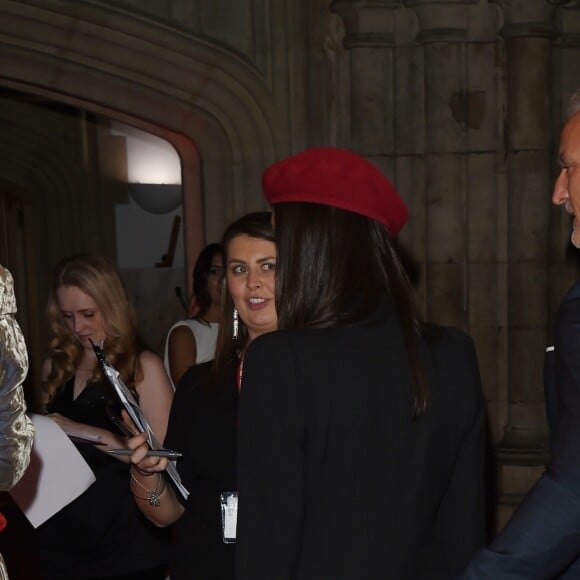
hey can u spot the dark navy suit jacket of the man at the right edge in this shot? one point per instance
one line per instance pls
(542, 540)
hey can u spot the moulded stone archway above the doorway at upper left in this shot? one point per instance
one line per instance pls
(211, 104)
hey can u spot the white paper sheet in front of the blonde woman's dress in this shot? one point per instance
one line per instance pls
(57, 473)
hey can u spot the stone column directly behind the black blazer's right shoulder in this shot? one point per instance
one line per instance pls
(443, 37)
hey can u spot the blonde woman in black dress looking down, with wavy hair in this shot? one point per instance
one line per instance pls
(101, 534)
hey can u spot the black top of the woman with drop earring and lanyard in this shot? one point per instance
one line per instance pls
(203, 426)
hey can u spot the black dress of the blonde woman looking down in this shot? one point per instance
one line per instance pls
(101, 534)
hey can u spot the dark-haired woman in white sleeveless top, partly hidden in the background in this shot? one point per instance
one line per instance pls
(193, 341)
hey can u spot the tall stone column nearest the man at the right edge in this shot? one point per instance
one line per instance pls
(528, 33)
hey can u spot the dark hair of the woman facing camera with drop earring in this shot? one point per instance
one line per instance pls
(255, 225)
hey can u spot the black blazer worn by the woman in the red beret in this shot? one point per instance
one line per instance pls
(335, 478)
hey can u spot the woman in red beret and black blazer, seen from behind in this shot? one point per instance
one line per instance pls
(361, 429)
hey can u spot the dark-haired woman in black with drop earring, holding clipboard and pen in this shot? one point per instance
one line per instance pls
(203, 420)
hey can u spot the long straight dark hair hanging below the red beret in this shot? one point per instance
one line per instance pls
(336, 267)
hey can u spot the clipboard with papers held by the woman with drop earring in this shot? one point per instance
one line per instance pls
(136, 414)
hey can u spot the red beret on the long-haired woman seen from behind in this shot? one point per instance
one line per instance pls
(339, 178)
